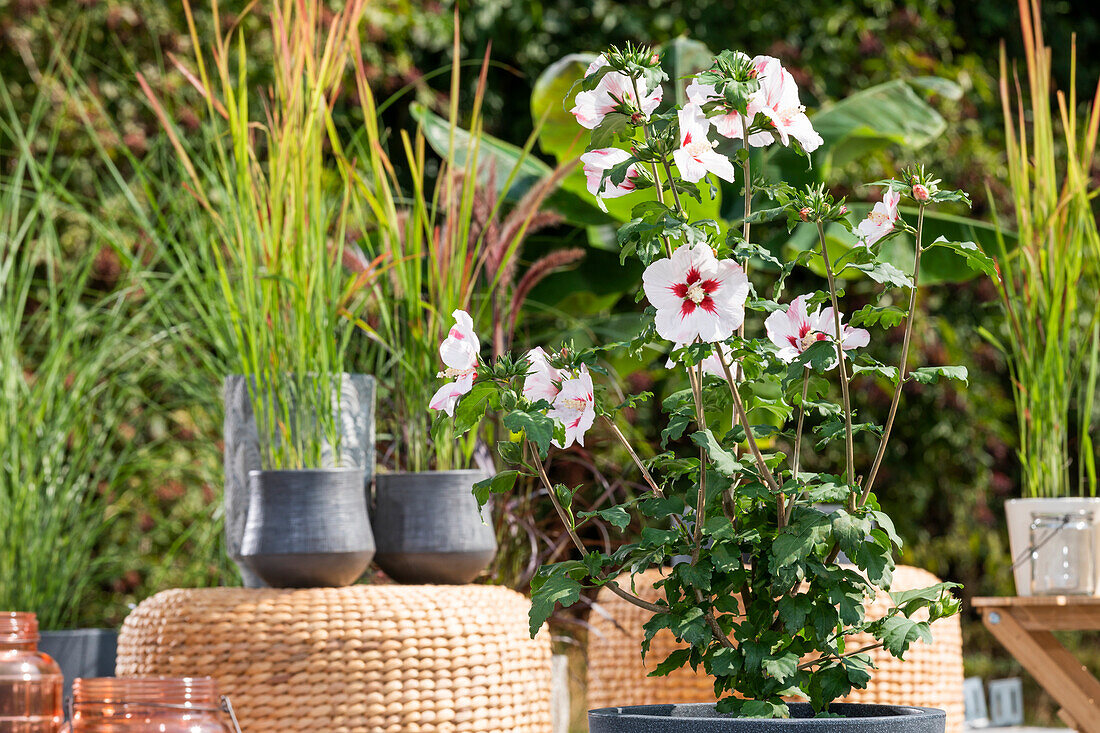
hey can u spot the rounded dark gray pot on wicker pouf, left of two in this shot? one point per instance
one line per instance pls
(307, 529)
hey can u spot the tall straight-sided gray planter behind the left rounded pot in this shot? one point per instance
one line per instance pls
(243, 452)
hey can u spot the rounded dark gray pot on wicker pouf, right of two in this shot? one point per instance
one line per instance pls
(428, 529)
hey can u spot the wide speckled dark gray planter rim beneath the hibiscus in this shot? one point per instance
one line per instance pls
(703, 718)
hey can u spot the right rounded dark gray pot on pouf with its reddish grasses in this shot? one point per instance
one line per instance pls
(441, 244)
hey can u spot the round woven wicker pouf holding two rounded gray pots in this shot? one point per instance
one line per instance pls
(359, 660)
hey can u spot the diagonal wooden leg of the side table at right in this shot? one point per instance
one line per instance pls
(1052, 666)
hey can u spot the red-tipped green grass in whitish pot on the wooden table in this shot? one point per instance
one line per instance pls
(1052, 341)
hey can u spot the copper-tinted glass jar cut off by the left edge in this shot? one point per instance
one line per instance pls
(31, 683)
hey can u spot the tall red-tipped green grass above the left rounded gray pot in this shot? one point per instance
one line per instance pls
(279, 218)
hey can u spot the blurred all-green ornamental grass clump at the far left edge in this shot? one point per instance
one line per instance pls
(72, 357)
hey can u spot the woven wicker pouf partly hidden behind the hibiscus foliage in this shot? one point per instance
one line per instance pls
(931, 676)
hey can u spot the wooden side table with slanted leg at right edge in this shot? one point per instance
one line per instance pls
(1024, 626)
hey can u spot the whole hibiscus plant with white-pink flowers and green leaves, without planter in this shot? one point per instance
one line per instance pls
(768, 566)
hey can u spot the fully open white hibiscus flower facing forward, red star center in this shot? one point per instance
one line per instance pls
(697, 296)
